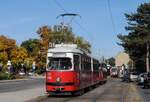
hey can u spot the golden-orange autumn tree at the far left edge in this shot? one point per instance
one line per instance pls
(10, 51)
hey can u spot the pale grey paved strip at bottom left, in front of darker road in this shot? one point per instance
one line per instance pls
(23, 95)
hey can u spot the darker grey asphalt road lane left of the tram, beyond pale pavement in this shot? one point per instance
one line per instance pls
(6, 87)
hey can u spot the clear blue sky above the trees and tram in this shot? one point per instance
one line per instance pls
(20, 19)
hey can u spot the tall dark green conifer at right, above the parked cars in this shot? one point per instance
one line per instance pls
(136, 43)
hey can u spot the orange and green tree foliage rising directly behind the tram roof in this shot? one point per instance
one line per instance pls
(61, 34)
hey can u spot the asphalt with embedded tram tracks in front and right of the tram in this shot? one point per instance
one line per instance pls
(113, 91)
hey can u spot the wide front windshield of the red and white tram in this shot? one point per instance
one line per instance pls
(59, 64)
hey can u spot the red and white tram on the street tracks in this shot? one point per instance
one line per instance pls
(70, 69)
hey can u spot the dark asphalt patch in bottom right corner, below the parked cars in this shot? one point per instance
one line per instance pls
(145, 94)
